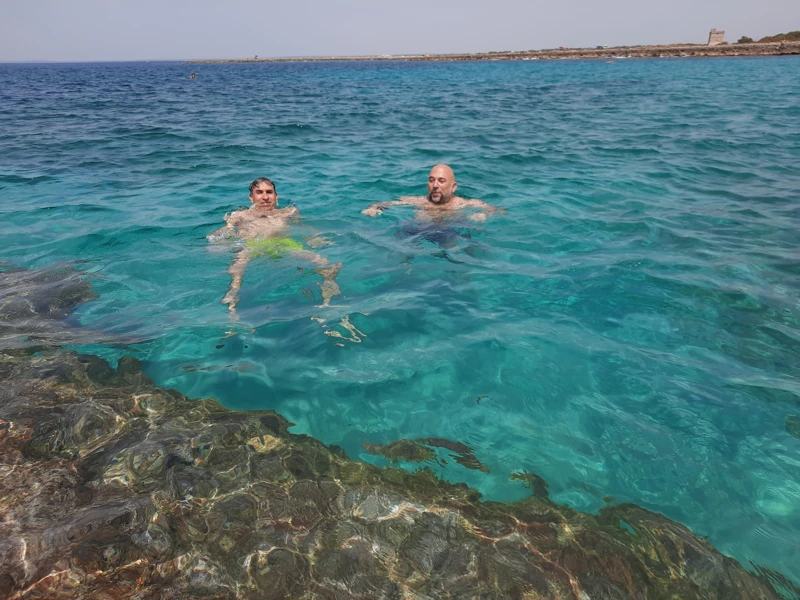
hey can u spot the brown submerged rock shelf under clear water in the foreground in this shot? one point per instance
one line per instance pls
(113, 488)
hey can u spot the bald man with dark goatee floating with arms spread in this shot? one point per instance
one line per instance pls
(440, 201)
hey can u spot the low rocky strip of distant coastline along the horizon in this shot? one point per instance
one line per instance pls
(671, 51)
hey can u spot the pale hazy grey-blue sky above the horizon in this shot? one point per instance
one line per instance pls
(111, 30)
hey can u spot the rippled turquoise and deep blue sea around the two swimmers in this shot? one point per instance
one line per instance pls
(629, 330)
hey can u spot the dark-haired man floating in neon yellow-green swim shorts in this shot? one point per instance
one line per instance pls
(264, 229)
